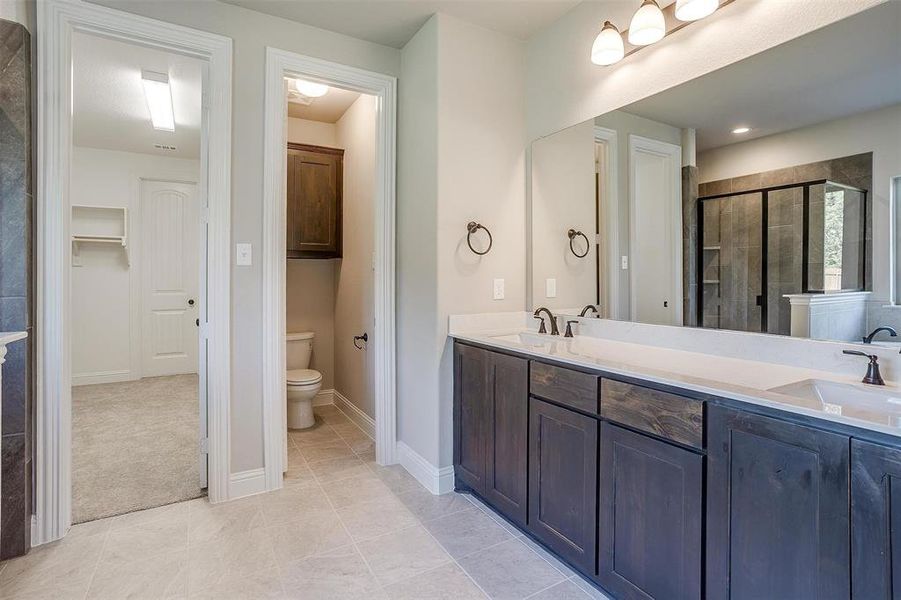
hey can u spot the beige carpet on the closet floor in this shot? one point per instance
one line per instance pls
(134, 445)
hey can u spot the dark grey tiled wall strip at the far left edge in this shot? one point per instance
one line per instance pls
(16, 287)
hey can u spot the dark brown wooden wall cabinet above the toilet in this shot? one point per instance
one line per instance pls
(314, 201)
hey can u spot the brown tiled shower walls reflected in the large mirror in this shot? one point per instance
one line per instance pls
(736, 308)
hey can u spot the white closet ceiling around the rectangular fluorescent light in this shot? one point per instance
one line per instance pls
(109, 107)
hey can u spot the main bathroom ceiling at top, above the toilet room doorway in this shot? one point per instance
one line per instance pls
(394, 22)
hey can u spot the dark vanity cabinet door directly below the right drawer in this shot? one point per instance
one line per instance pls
(649, 531)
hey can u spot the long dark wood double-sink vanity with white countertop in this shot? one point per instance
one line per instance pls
(657, 484)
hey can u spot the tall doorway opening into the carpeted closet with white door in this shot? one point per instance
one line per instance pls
(135, 228)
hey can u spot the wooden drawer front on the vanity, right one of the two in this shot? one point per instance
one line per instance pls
(670, 416)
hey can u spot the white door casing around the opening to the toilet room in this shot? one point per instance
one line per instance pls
(381, 339)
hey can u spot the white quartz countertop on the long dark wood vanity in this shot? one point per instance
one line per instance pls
(739, 379)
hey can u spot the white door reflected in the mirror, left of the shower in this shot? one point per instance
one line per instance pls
(655, 194)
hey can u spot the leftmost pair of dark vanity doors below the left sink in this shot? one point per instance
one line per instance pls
(490, 427)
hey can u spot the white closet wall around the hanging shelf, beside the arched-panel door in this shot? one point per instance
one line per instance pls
(106, 325)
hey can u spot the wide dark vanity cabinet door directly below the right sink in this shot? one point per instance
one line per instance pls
(777, 509)
